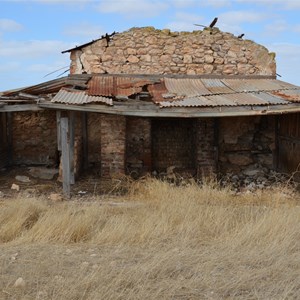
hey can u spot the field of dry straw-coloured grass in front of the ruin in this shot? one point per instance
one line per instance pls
(159, 242)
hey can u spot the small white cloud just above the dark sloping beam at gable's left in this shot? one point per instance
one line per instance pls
(84, 29)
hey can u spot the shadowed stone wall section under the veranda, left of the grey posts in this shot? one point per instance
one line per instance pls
(34, 138)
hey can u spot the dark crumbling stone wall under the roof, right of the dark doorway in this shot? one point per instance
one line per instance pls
(246, 141)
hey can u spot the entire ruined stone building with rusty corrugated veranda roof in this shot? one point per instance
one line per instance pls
(146, 99)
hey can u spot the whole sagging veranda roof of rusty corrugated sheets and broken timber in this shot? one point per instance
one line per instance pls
(142, 93)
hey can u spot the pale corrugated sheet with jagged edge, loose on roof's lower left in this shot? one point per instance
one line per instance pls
(79, 98)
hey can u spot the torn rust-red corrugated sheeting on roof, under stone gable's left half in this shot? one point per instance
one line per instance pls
(116, 85)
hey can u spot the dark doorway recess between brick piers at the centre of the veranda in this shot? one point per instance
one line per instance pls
(173, 144)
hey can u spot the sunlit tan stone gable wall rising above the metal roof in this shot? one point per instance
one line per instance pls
(150, 51)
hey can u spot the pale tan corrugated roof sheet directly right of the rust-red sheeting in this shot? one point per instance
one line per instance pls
(186, 87)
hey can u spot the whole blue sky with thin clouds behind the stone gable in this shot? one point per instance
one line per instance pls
(33, 33)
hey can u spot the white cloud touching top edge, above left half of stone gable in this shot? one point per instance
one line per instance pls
(133, 8)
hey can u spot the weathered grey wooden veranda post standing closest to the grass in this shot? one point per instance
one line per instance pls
(65, 148)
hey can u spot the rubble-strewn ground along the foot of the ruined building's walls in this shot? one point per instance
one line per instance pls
(36, 181)
